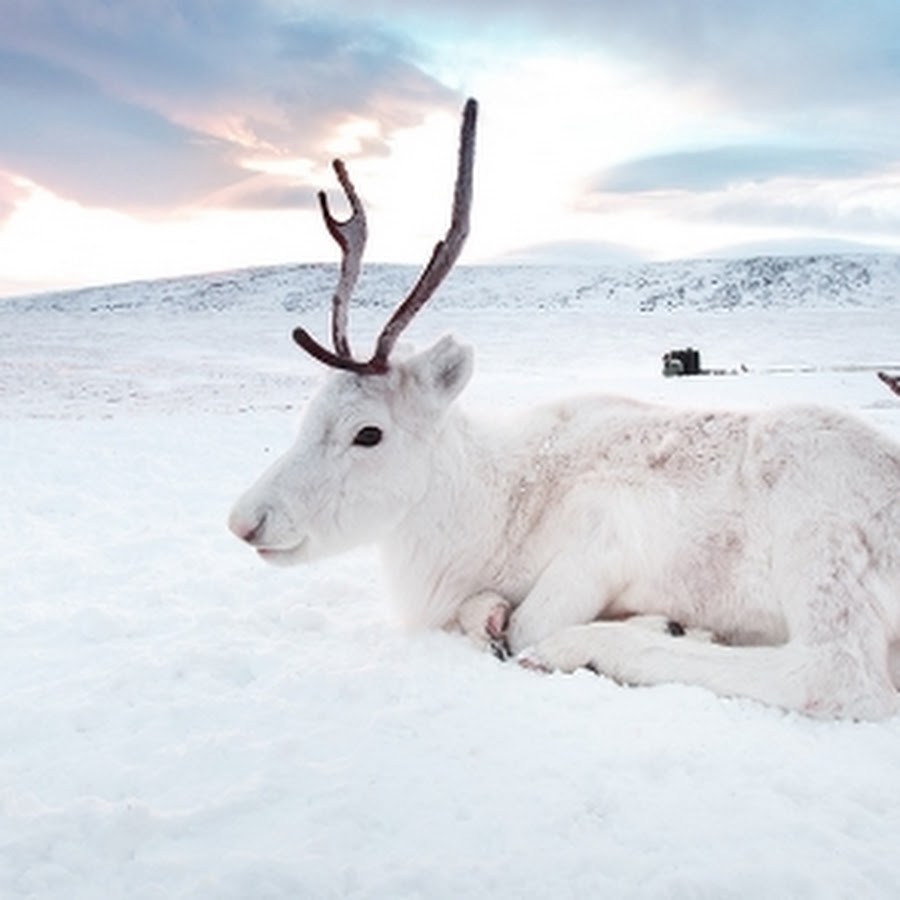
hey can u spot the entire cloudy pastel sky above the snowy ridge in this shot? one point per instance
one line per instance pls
(148, 138)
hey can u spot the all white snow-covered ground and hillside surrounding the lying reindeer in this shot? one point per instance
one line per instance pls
(178, 720)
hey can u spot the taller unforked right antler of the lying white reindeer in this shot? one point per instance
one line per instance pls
(445, 252)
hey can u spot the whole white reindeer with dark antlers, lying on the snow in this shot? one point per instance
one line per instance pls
(581, 532)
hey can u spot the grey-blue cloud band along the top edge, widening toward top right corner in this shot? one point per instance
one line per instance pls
(822, 52)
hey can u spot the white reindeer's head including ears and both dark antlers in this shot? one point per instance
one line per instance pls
(363, 454)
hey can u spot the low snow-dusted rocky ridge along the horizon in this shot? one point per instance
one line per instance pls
(761, 282)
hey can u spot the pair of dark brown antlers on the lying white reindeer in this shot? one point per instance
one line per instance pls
(351, 237)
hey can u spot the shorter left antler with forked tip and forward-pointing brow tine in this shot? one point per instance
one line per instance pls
(350, 236)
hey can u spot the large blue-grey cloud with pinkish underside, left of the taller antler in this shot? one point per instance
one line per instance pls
(149, 106)
